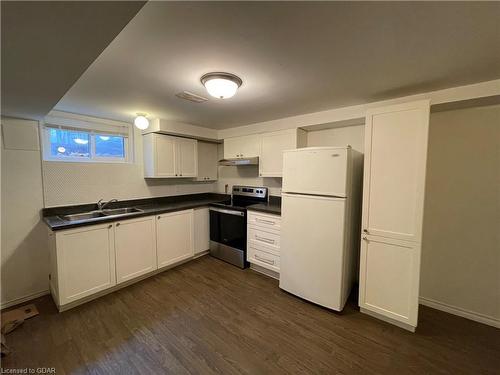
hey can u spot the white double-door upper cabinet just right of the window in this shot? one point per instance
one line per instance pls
(169, 157)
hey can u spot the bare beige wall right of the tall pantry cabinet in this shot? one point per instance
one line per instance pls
(461, 243)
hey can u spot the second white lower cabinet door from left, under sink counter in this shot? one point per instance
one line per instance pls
(135, 248)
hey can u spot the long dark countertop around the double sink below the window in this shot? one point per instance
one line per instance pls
(149, 207)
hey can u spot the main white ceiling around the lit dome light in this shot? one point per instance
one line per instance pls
(293, 57)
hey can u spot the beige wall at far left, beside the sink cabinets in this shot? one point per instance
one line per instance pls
(24, 259)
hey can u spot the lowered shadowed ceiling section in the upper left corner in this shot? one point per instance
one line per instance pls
(47, 45)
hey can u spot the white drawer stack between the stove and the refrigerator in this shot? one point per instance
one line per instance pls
(263, 240)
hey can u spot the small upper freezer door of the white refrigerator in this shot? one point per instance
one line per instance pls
(320, 171)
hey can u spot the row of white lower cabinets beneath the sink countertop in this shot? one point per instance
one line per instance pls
(88, 261)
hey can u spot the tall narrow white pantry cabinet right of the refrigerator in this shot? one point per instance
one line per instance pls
(393, 202)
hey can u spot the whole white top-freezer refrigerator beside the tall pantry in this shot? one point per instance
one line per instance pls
(318, 255)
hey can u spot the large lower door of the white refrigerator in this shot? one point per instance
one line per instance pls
(312, 248)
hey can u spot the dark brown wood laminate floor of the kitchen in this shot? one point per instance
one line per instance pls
(207, 317)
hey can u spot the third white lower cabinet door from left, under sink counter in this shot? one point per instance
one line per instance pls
(174, 237)
